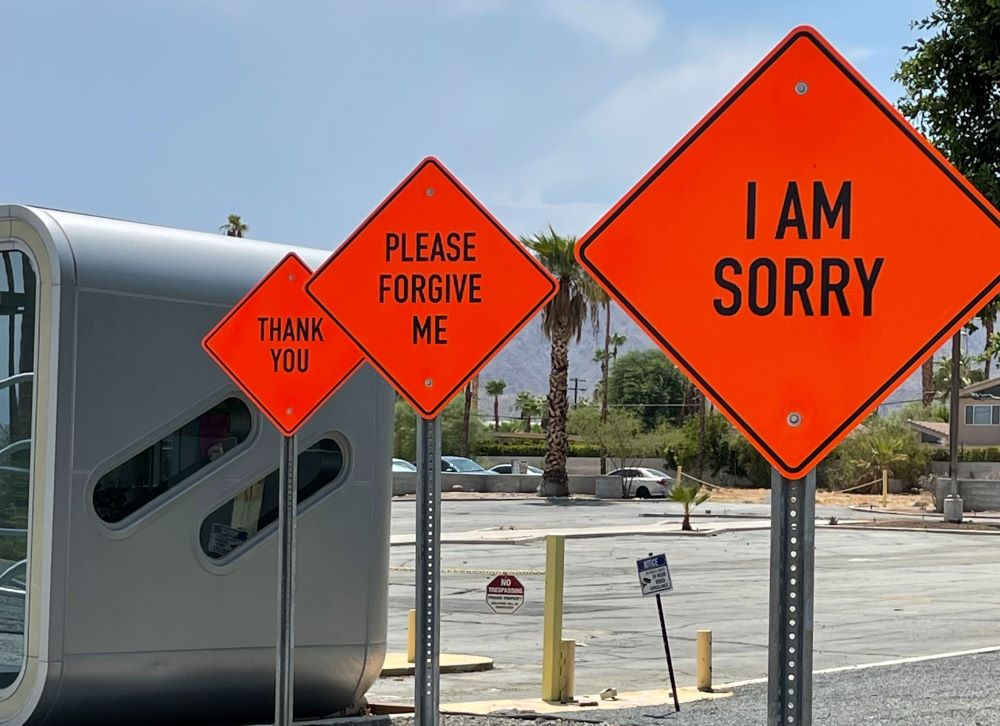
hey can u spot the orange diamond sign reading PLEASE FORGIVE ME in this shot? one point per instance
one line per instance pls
(431, 287)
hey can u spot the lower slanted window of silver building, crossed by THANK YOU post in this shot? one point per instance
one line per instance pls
(241, 519)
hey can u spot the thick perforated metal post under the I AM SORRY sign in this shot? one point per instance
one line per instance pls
(789, 672)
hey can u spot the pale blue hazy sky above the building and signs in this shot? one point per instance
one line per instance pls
(302, 115)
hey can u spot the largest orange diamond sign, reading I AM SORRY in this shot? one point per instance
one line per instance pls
(797, 252)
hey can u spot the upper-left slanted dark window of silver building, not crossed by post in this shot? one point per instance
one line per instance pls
(171, 460)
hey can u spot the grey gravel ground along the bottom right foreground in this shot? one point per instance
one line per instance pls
(959, 691)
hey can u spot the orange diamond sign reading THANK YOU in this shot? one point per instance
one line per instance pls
(279, 346)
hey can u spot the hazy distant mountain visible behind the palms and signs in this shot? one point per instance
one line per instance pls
(524, 364)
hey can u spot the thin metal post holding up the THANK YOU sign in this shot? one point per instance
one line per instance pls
(284, 674)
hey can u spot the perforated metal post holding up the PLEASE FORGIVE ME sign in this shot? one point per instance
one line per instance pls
(426, 699)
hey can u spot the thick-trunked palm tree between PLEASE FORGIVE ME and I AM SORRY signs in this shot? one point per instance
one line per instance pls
(562, 319)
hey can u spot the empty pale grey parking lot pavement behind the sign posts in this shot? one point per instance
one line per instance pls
(880, 595)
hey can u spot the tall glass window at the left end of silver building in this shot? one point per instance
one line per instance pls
(18, 304)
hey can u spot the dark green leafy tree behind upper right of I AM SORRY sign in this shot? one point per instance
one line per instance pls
(951, 82)
